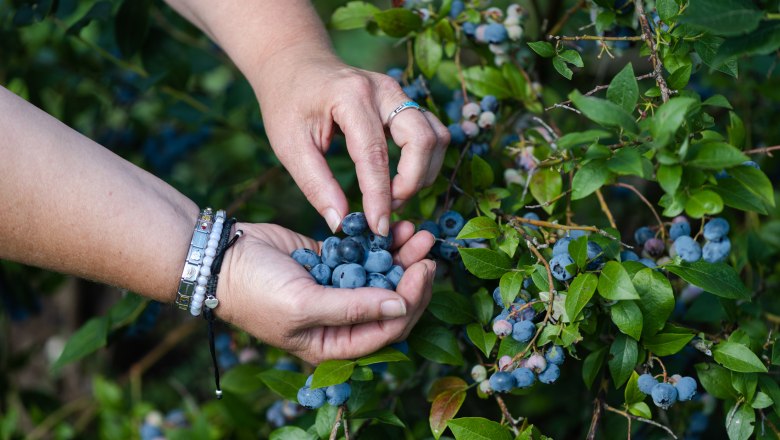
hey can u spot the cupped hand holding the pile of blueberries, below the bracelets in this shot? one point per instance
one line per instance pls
(265, 292)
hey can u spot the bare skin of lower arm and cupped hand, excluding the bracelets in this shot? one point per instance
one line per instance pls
(73, 206)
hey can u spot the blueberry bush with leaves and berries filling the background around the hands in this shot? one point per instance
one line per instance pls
(606, 223)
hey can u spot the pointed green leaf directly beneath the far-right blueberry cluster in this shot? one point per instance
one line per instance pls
(717, 278)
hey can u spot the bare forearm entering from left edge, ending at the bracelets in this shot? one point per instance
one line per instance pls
(75, 207)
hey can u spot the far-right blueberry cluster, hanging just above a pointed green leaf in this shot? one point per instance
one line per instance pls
(716, 248)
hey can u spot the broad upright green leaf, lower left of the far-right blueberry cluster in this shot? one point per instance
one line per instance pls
(657, 299)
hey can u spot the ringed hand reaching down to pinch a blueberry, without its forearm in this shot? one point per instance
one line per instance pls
(305, 93)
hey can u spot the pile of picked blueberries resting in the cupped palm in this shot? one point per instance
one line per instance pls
(362, 259)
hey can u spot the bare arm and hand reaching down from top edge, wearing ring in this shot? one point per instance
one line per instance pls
(305, 92)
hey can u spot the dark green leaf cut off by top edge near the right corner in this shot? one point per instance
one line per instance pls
(722, 17)
